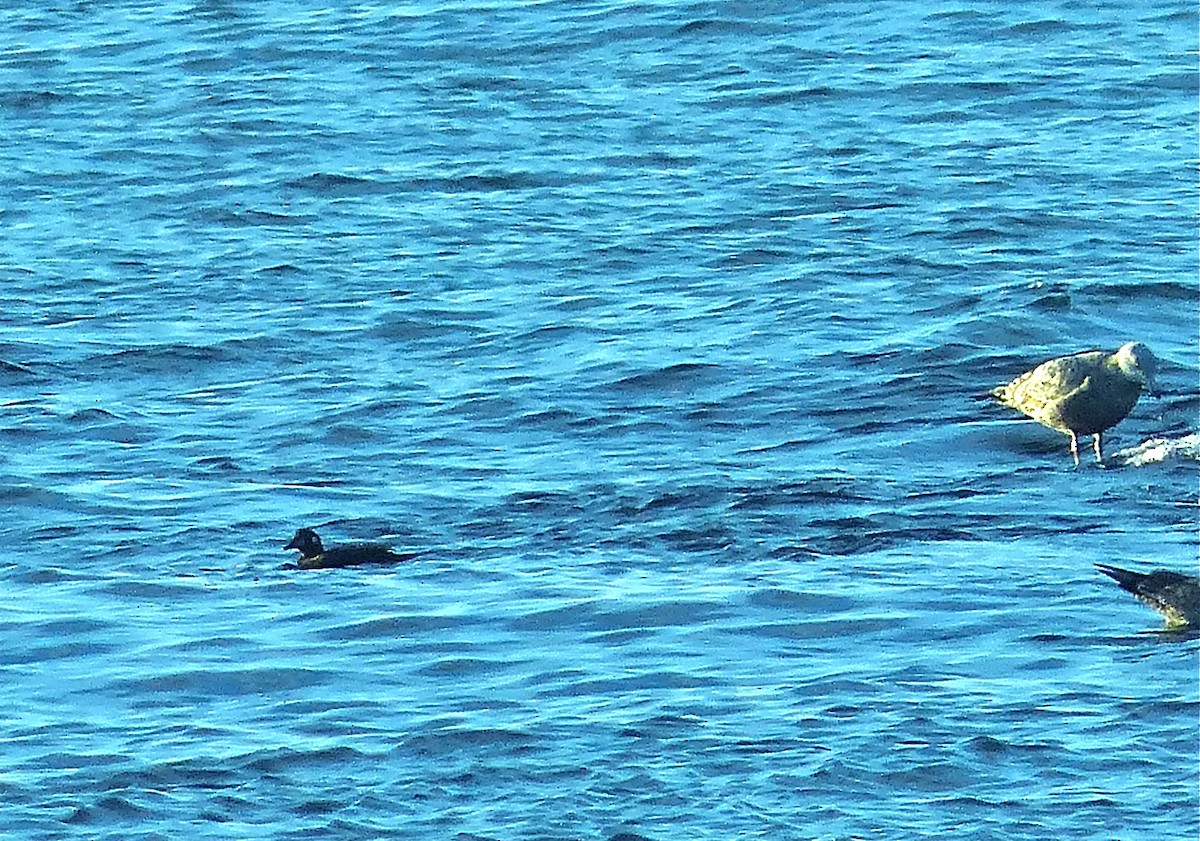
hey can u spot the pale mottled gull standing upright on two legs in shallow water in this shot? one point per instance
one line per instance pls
(1084, 394)
